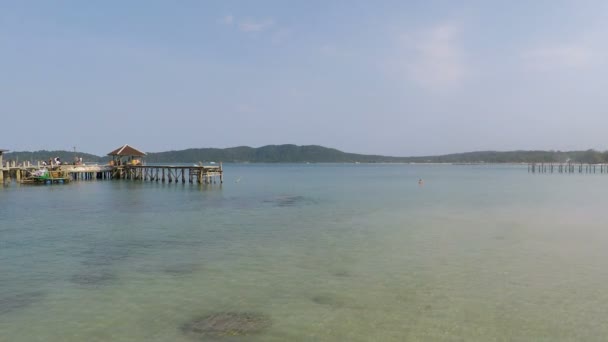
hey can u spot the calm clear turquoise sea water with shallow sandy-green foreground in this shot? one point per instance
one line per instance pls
(316, 252)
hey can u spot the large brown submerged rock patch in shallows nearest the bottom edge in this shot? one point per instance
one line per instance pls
(228, 324)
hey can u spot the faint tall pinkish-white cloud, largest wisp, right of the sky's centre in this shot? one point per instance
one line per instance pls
(432, 58)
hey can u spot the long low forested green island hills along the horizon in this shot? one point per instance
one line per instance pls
(320, 154)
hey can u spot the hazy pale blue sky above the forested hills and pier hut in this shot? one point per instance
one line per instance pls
(399, 78)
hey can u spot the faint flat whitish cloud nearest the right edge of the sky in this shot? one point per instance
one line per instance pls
(559, 57)
